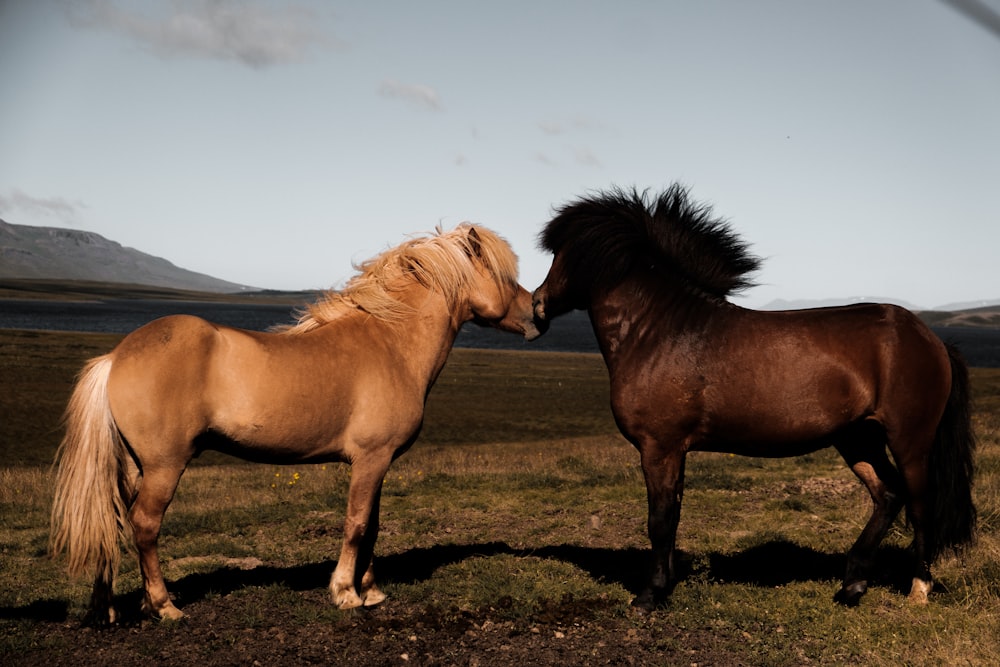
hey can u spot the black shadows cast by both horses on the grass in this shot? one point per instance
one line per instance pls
(771, 564)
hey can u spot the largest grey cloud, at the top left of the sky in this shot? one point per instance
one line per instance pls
(245, 32)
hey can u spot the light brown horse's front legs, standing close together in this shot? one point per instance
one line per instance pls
(360, 532)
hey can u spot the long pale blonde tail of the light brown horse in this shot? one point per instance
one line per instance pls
(93, 484)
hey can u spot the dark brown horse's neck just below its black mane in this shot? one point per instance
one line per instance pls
(635, 312)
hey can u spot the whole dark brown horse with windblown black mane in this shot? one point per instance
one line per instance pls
(691, 371)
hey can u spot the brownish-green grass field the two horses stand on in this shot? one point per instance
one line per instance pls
(512, 533)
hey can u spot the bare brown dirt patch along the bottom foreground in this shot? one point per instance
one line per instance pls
(215, 633)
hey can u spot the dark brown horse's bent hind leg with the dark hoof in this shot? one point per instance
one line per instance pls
(869, 462)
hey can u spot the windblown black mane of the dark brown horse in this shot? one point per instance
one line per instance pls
(603, 237)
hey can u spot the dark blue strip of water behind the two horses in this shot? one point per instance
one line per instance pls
(569, 333)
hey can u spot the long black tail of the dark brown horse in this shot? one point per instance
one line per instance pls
(952, 466)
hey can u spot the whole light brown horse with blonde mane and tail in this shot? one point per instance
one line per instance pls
(347, 383)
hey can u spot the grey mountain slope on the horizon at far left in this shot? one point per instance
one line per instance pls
(54, 253)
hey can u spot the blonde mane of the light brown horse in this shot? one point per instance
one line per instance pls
(442, 262)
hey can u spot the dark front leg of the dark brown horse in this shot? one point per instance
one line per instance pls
(664, 473)
